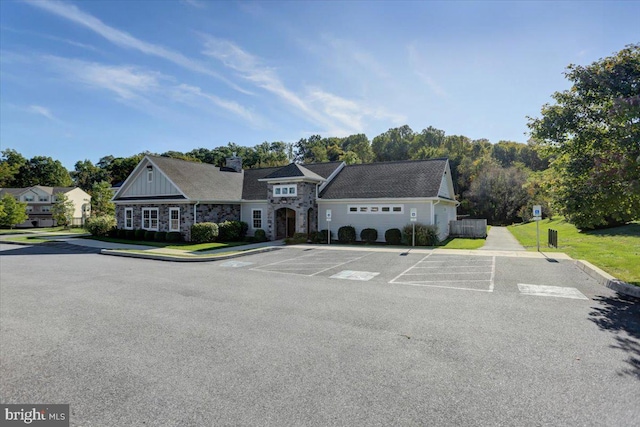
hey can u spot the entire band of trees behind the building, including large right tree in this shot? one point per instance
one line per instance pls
(582, 160)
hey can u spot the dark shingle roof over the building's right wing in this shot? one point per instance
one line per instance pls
(417, 178)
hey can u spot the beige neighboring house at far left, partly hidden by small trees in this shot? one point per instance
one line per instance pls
(40, 199)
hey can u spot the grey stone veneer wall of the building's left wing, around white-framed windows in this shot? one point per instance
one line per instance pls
(205, 213)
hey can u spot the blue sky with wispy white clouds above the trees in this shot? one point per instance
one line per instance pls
(82, 80)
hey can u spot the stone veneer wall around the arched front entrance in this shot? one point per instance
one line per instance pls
(305, 200)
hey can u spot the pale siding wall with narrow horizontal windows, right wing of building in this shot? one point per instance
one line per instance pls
(373, 217)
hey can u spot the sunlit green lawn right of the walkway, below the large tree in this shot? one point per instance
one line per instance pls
(615, 250)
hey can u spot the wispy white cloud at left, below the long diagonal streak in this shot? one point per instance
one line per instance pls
(142, 88)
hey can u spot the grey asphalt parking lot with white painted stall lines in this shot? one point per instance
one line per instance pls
(316, 337)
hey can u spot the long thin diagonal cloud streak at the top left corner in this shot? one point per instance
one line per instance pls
(126, 40)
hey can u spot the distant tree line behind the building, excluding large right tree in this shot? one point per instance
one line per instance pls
(508, 163)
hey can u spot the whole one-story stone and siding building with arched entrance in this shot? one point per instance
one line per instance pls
(165, 194)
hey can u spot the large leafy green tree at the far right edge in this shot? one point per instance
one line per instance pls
(593, 131)
